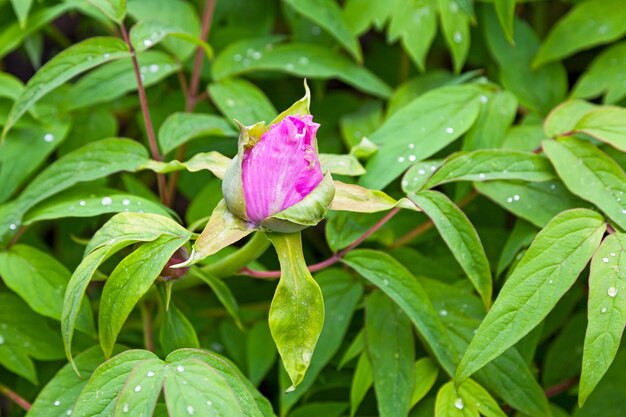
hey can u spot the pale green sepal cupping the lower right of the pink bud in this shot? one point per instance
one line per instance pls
(307, 212)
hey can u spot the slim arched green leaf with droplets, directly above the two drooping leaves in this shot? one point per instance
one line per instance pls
(89, 201)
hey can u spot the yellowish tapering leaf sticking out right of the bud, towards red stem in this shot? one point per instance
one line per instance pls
(352, 197)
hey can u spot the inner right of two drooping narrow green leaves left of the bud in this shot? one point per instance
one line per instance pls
(128, 282)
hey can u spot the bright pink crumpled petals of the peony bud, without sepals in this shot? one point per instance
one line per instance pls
(282, 168)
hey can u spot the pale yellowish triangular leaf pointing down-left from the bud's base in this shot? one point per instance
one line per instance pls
(223, 229)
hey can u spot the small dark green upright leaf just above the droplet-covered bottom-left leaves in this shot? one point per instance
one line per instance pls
(176, 331)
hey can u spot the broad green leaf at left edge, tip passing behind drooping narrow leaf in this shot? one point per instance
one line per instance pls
(29, 271)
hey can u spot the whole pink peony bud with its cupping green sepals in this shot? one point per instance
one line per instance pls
(276, 181)
